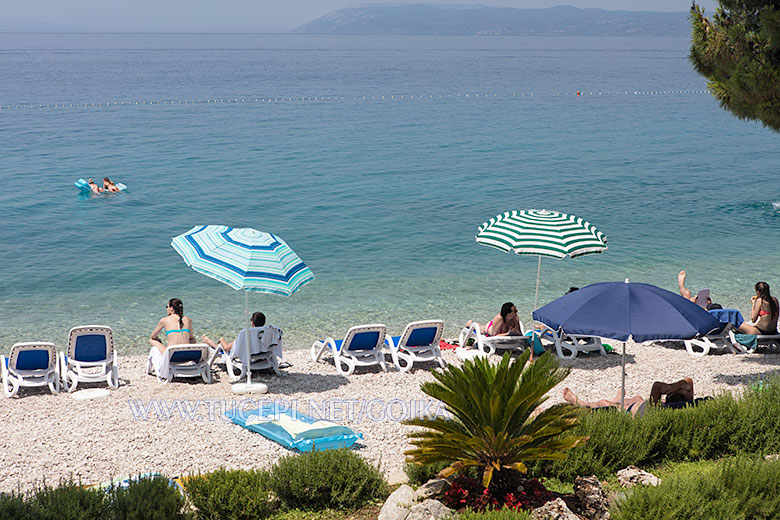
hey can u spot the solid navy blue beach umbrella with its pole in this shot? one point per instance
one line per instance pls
(623, 310)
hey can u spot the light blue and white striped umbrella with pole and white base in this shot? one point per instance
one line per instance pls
(245, 259)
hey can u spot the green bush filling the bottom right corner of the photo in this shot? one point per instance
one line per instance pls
(737, 489)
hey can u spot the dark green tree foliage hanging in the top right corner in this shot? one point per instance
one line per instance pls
(738, 51)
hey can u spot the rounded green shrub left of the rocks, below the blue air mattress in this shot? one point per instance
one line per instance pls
(337, 479)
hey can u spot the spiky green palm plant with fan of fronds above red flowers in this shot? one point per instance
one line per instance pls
(493, 426)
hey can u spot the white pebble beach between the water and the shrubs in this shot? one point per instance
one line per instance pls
(177, 428)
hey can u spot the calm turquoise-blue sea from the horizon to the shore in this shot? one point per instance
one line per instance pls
(380, 197)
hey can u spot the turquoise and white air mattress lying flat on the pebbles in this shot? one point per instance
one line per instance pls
(292, 429)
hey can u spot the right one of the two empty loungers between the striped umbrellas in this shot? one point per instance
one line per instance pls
(419, 342)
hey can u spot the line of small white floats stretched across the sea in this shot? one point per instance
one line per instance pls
(354, 98)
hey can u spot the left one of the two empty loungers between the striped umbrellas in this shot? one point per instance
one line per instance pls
(362, 346)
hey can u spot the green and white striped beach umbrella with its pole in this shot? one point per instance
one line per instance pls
(542, 233)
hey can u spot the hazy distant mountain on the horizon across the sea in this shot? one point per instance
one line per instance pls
(427, 19)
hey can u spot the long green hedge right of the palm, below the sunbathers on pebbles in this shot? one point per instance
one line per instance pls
(720, 427)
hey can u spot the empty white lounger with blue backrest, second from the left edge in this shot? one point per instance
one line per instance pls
(90, 357)
